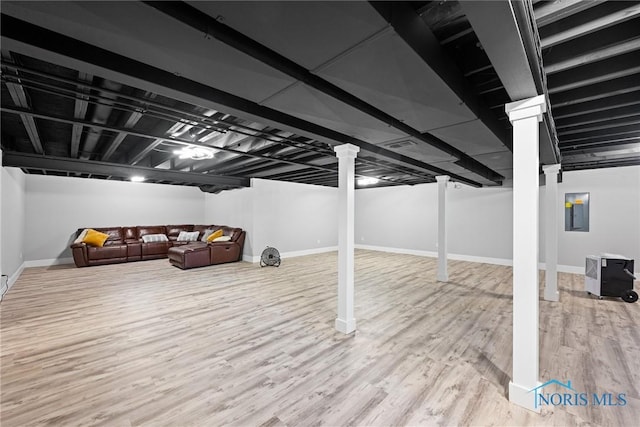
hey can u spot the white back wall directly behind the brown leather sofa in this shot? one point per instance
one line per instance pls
(57, 206)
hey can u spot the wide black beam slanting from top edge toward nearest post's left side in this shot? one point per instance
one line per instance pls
(419, 37)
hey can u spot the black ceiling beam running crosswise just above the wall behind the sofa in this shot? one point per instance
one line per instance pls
(62, 164)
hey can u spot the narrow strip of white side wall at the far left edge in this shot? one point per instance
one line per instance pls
(13, 222)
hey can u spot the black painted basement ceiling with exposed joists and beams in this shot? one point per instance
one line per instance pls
(113, 89)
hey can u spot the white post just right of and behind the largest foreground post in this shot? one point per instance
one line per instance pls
(551, 232)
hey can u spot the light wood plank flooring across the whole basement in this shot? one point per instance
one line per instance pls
(148, 344)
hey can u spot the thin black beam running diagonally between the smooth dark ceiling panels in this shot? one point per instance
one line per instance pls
(200, 21)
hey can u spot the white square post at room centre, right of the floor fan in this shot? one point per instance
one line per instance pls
(346, 153)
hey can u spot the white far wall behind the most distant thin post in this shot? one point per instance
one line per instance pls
(479, 220)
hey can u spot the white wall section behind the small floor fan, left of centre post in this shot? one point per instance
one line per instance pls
(293, 218)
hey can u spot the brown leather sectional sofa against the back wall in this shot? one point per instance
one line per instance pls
(125, 244)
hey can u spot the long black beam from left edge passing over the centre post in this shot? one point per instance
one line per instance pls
(19, 35)
